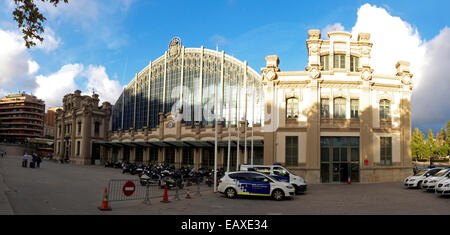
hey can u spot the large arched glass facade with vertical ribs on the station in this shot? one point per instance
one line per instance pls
(189, 82)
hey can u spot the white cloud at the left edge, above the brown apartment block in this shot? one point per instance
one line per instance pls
(15, 61)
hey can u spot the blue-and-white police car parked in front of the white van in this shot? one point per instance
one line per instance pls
(253, 183)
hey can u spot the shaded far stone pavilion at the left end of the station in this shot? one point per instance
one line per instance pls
(78, 124)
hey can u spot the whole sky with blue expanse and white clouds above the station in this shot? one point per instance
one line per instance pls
(99, 45)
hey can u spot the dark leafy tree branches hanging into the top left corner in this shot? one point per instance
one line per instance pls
(30, 19)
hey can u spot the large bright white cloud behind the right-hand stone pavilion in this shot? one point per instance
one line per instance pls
(395, 39)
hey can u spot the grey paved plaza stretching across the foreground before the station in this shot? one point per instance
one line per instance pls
(67, 189)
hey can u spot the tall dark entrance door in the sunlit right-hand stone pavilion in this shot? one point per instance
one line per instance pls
(339, 157)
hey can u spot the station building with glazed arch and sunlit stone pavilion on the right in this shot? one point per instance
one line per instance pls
(334, 120)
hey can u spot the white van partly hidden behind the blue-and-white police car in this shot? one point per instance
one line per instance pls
(280, 173)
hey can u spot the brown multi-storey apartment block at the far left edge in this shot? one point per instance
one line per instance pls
(21, 117)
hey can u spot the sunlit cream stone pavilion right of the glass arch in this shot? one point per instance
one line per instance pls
(339, 76)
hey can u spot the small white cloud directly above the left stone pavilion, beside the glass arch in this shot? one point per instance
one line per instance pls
(98, 81)
